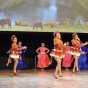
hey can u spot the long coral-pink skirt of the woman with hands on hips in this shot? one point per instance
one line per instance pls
(43, 61)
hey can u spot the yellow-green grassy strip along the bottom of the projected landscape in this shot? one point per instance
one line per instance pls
(60, 28)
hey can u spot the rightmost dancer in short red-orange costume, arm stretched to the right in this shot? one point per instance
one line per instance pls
(76, 44)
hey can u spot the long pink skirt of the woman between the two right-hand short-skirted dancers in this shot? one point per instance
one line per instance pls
(67, 60)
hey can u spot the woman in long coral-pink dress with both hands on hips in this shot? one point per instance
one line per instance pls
(43, 59)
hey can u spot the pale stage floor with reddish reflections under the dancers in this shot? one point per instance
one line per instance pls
(43, 79)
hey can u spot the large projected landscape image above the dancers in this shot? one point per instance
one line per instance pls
(44, 15)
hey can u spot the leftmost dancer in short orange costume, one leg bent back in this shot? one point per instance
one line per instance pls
(14, 54)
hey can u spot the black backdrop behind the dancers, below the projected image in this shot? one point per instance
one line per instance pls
(32, 40)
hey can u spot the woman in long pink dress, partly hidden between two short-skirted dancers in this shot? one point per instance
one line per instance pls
(67, 60)
